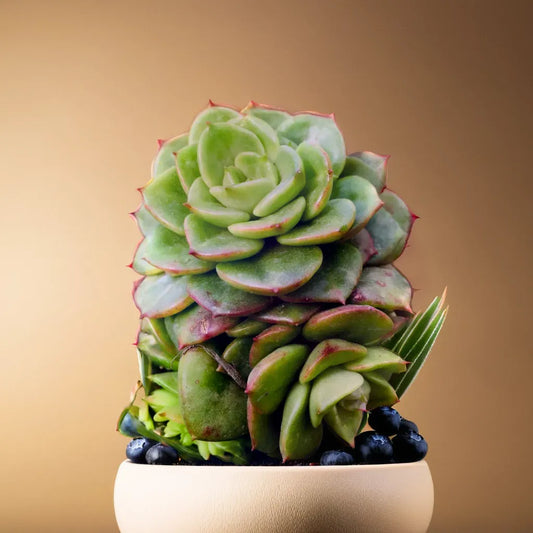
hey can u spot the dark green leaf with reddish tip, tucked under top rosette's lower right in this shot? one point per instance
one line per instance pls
(336, 278)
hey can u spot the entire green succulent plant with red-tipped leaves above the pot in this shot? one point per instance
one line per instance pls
(272, 317)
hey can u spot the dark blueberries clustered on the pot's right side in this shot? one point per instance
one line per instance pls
(375, 447)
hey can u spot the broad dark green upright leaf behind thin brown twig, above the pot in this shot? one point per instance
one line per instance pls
(201, 387)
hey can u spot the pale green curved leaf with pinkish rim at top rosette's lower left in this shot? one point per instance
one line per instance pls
(170, 252)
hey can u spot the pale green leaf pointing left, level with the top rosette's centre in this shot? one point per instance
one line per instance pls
(165, 200)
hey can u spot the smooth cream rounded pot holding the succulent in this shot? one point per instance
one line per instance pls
(391, 498)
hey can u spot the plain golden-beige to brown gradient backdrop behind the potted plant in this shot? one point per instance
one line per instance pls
(85, 90)
